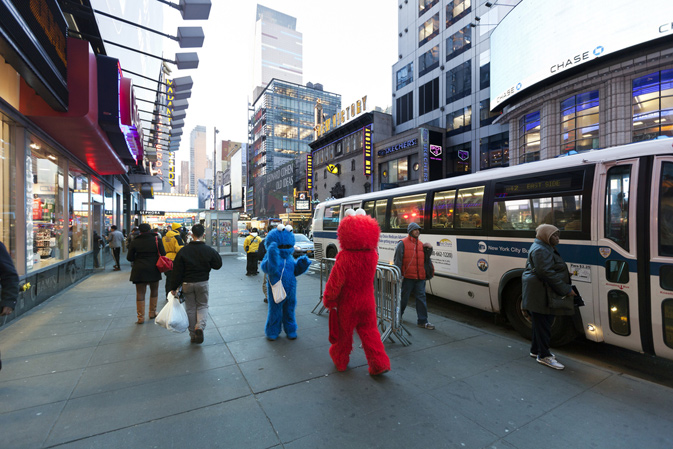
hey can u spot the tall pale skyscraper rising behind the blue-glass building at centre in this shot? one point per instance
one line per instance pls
(277, 51)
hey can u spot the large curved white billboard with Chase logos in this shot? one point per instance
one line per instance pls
(539, 39)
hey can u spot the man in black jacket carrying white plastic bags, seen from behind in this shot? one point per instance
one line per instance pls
(191, 269)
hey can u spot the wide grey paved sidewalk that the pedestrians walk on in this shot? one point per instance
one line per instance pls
(79, 373)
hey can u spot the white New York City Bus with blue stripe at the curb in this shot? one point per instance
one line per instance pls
(614, 208)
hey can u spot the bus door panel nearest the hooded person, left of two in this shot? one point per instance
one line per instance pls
(616, 311)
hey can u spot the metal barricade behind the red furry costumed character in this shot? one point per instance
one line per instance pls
(388, 295)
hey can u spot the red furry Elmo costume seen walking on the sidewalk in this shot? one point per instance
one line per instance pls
(350, 290)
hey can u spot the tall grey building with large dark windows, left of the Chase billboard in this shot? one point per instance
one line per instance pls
(442, 79)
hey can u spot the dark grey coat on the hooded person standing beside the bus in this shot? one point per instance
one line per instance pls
(546, 274)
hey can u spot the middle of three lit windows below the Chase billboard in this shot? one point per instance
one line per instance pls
(579, 122)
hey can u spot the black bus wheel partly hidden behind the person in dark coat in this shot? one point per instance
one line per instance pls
(562, 329)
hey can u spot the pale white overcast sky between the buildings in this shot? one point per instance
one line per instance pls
(349, 46)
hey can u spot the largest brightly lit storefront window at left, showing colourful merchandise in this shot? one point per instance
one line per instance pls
(44, 219)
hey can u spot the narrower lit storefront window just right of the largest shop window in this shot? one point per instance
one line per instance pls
(78, 194)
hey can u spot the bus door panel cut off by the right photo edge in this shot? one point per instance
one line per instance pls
(661, 260)
